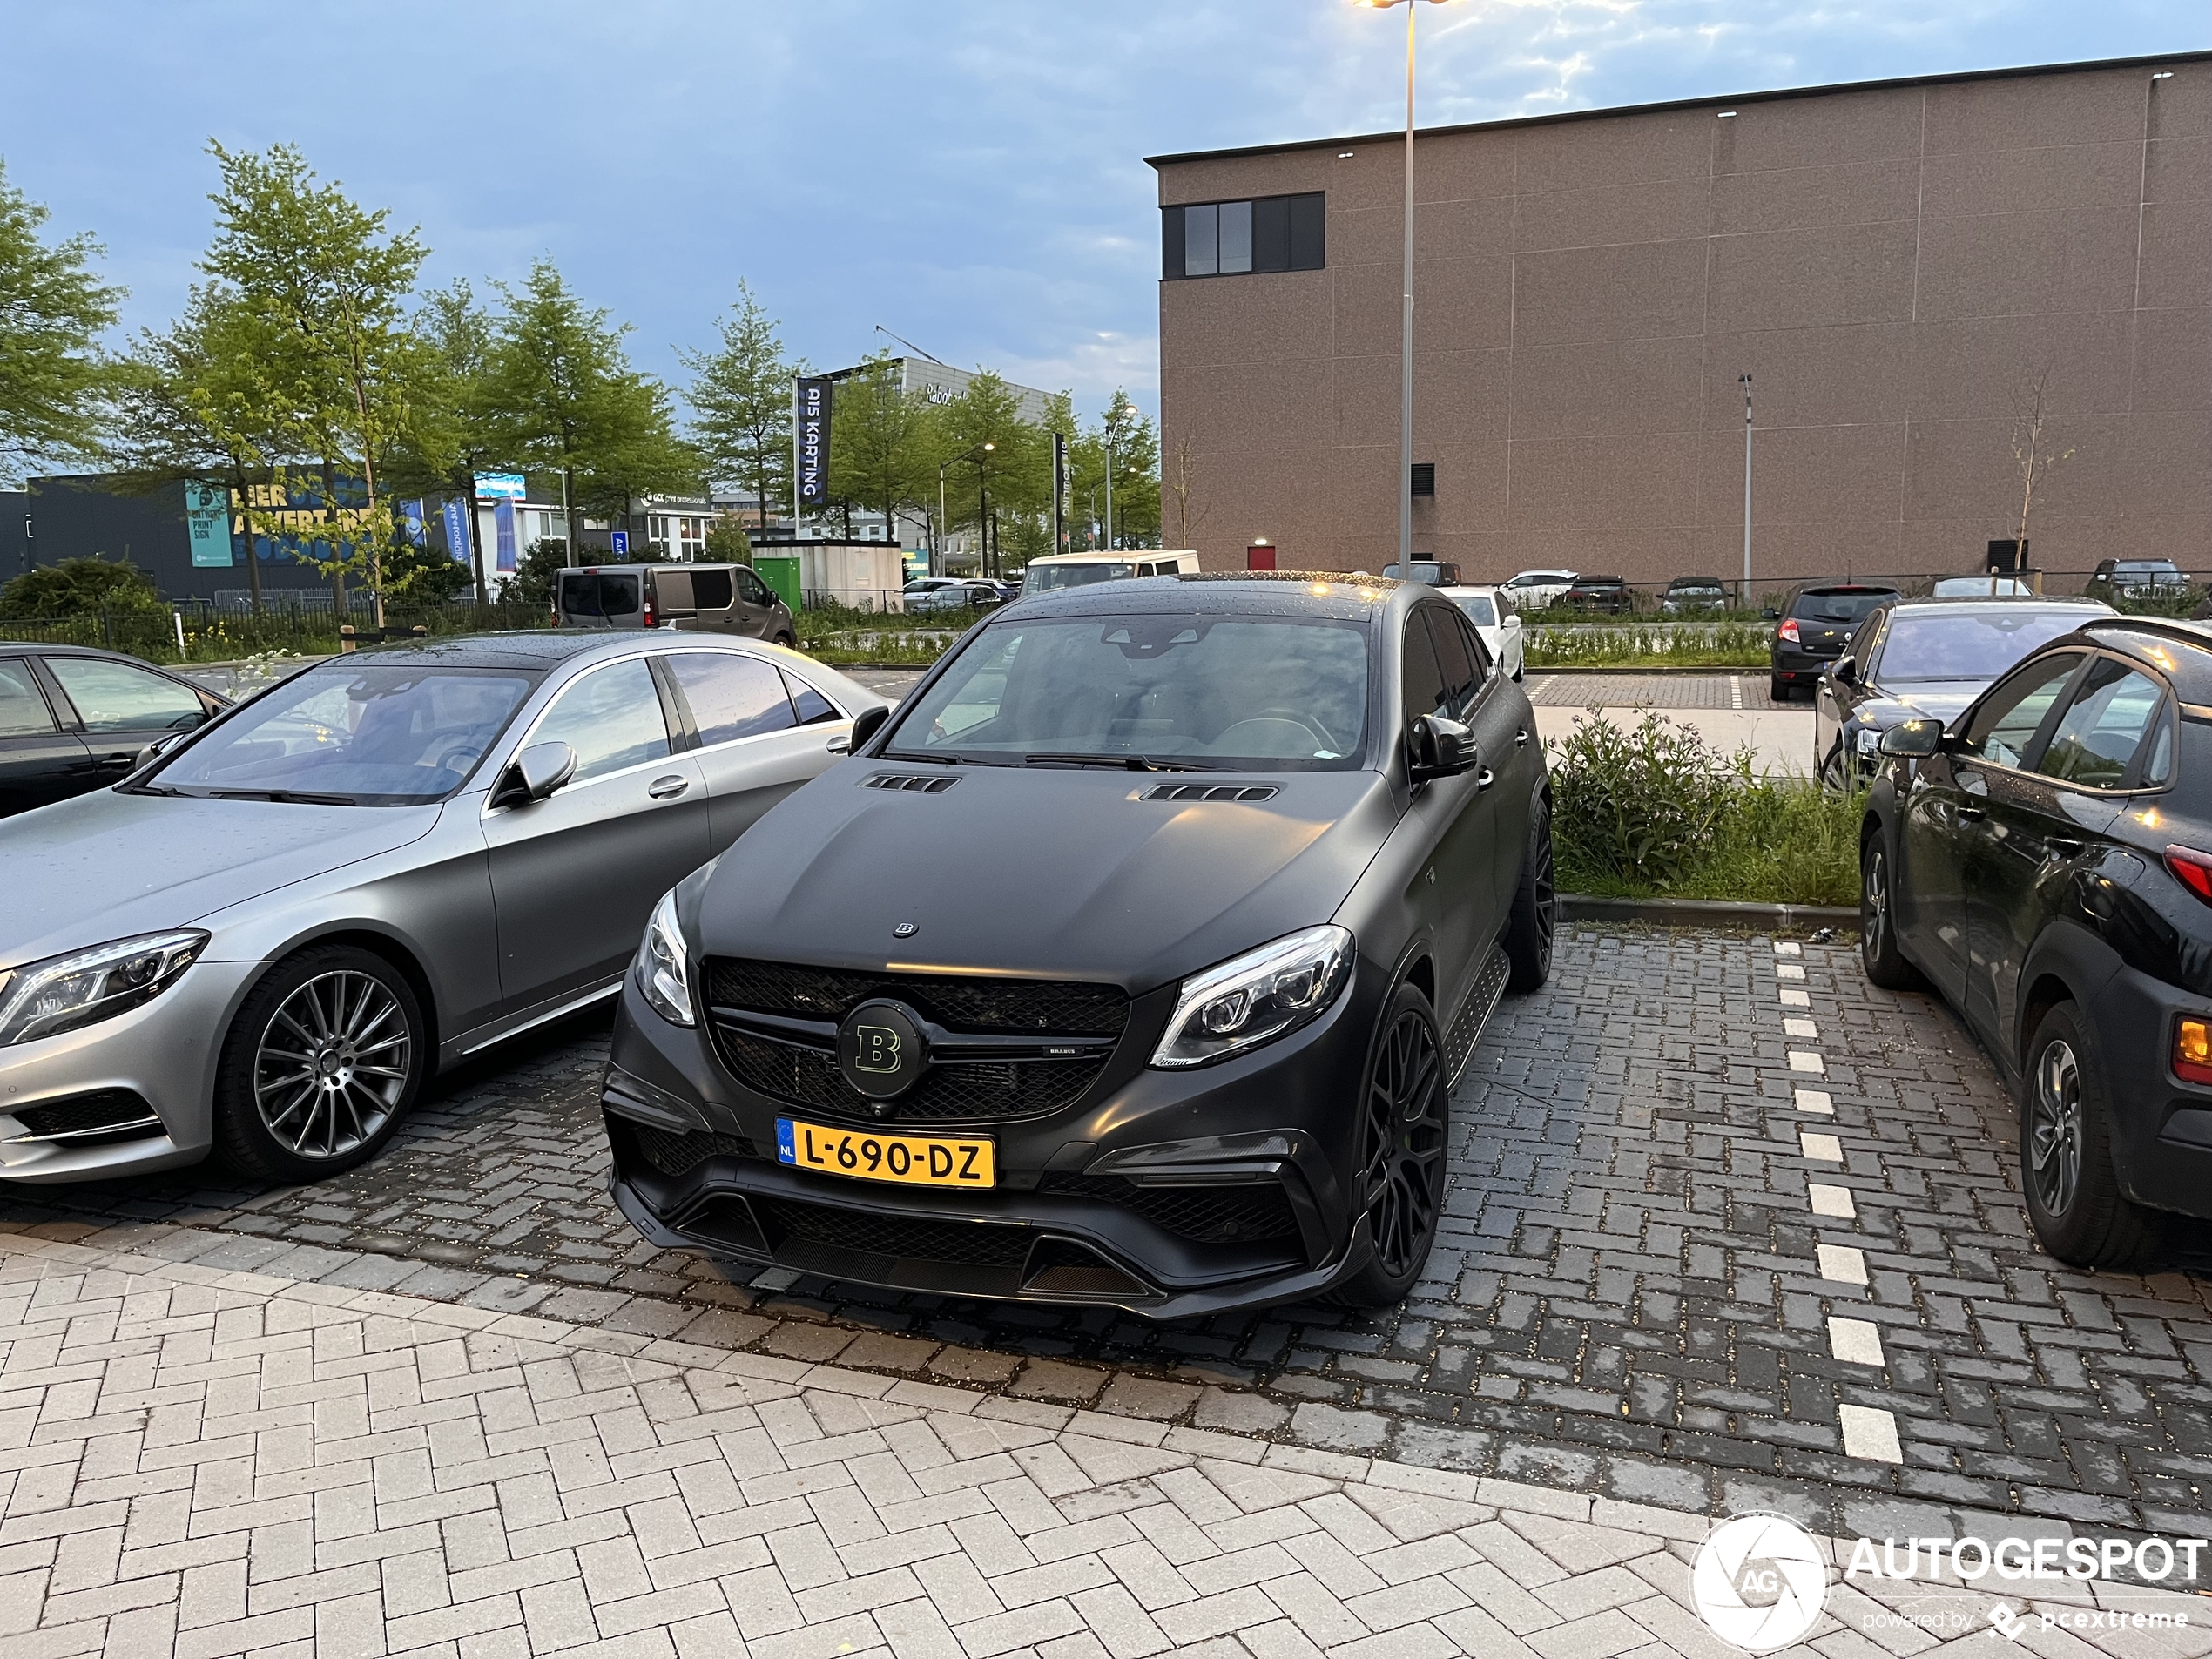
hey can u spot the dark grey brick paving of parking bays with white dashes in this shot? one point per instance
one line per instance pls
(1649, 1282)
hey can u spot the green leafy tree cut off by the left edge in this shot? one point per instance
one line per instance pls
(54, 382)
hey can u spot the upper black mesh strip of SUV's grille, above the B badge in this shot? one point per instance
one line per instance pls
(957, 1001)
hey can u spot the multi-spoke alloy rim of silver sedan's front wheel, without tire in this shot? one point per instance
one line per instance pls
(333, 1065)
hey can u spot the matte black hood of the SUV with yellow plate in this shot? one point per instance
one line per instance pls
(1047, 873)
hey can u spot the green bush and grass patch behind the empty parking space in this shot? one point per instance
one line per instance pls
(1658, 813)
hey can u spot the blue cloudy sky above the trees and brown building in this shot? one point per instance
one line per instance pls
(968, 174)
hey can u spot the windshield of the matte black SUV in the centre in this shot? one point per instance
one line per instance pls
(1211, 693)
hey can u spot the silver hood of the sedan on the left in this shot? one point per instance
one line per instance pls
(107, 866)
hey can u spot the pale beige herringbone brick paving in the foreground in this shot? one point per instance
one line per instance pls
(213, 1463)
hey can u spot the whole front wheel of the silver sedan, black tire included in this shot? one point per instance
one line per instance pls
(322, 1063)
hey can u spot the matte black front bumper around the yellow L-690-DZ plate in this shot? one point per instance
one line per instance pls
(1167, 1193)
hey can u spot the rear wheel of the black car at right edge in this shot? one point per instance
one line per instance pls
(2067, 1154)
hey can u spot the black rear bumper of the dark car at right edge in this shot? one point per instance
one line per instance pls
(2162, 1127)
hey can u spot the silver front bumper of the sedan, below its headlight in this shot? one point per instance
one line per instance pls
(163, 1056)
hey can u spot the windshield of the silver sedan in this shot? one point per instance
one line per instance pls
(357, 735)
